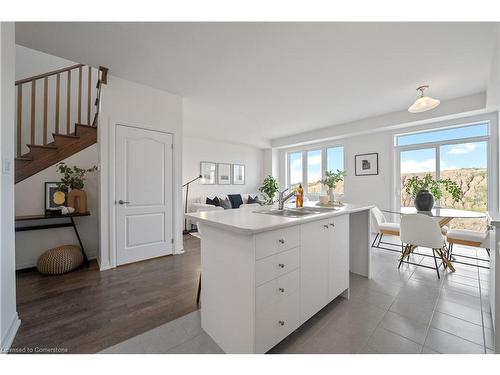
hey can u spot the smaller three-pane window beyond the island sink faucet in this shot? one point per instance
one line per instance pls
(308, 168)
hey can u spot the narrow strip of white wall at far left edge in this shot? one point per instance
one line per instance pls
(9, 321)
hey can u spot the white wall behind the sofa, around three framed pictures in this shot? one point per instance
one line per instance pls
(196, 150)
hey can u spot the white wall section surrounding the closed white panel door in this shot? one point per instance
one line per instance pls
(128, 103)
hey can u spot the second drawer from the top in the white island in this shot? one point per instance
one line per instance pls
(276, 265)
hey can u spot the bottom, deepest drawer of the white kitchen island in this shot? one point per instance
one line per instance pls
(273, 325)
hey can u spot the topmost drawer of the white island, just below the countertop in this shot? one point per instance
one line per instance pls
(269, 243)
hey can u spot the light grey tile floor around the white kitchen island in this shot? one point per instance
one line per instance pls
(405, 311)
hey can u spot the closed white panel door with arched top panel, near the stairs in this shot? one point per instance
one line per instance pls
(143, 193)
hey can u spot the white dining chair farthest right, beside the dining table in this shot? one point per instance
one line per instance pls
(469, 238)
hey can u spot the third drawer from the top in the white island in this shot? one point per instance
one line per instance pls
(270, 294)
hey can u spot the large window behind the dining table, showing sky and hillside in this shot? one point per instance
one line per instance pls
(459, 153)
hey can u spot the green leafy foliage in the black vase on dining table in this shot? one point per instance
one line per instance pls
(415, 184)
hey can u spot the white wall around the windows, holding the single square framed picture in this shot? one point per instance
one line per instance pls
(380, 190)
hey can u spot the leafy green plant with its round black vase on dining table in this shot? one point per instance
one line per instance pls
(425, 189)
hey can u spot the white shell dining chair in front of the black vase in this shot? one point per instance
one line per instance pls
(419, 230)
